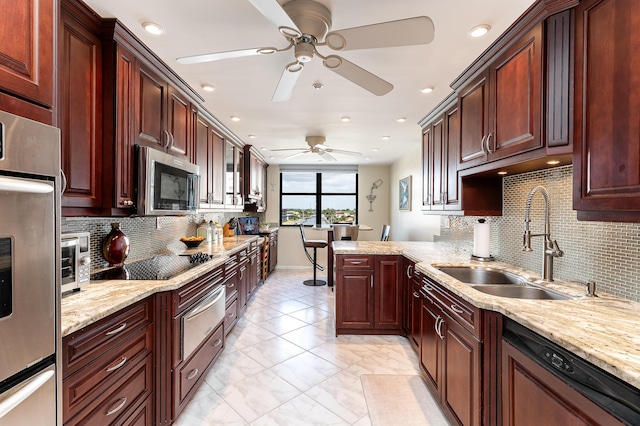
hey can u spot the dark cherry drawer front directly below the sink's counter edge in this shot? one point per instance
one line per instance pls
(457, 308)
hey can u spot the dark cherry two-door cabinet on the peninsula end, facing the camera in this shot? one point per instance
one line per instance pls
(368, 294)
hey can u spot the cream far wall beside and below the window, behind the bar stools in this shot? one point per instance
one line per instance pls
(290, 252)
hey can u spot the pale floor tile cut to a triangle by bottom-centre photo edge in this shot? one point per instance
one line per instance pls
(289, 413)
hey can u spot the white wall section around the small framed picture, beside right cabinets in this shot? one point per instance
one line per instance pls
(411, 225)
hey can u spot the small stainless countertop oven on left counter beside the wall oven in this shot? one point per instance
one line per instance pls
(75, 260)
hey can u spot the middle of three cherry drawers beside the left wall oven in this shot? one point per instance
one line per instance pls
(96, 378)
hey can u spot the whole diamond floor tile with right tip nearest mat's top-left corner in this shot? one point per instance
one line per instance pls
(305, 370)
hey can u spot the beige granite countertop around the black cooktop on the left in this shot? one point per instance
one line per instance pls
(100, 299)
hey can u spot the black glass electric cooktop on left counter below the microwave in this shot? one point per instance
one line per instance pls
(160, 267)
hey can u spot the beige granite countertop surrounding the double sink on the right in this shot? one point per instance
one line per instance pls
(602, 330)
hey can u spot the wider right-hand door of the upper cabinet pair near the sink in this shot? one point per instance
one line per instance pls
(516, 98)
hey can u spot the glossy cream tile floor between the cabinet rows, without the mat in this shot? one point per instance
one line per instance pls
(283, 364)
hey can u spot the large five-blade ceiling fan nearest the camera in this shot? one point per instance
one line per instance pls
(306, 25)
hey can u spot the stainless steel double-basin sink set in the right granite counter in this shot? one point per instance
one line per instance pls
(501, 283)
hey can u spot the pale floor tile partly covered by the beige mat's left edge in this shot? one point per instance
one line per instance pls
(342, 394)
